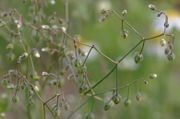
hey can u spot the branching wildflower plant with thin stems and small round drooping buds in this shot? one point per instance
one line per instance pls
(52, 47)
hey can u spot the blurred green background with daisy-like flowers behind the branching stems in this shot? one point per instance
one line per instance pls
(161, 97)
